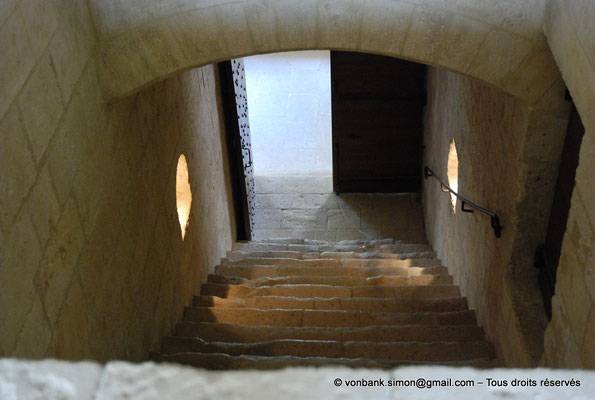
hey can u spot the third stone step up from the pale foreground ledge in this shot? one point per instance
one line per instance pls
(222, 332)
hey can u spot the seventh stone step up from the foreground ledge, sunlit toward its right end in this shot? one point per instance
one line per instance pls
(381, 280)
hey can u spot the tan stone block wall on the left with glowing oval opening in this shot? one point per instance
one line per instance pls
(92, 263)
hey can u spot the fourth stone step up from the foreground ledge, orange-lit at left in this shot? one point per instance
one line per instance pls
(328, 318)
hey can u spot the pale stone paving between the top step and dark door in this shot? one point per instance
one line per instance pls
(306, 207)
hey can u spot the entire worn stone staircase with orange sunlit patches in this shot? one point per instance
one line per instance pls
(287, 302)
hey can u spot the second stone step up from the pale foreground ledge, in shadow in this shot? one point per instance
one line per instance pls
(410, 351)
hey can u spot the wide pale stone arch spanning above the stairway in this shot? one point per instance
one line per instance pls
(500, 44)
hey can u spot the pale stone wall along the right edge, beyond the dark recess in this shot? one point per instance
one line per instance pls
(570, 336)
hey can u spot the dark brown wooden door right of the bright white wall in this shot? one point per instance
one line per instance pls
(377, 109)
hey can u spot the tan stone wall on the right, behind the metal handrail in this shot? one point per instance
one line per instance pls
(487, 126)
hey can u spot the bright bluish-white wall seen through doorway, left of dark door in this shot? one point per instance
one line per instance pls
(289, 105)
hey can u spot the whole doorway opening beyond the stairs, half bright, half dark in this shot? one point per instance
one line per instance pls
(328, 132)
